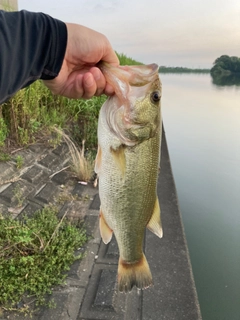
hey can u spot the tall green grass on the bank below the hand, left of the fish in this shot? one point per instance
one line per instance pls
(31, 113)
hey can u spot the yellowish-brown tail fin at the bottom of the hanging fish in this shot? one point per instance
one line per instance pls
(134, 274)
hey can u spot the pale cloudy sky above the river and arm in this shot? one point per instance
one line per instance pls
(186, 33)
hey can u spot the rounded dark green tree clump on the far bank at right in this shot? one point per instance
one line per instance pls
(226, 65)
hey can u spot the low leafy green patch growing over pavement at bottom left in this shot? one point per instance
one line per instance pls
(35, 255)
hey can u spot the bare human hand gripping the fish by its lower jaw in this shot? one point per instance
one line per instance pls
(79, 77)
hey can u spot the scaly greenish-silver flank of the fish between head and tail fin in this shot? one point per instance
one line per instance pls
(125, 198)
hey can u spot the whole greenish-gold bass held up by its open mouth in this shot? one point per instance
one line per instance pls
(127, 165)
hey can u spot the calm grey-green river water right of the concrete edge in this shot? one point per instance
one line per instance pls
(202, 125)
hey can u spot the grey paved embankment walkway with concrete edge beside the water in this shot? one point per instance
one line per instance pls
(90, 291)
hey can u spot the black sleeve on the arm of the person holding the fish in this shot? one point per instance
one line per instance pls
(32, 46)
